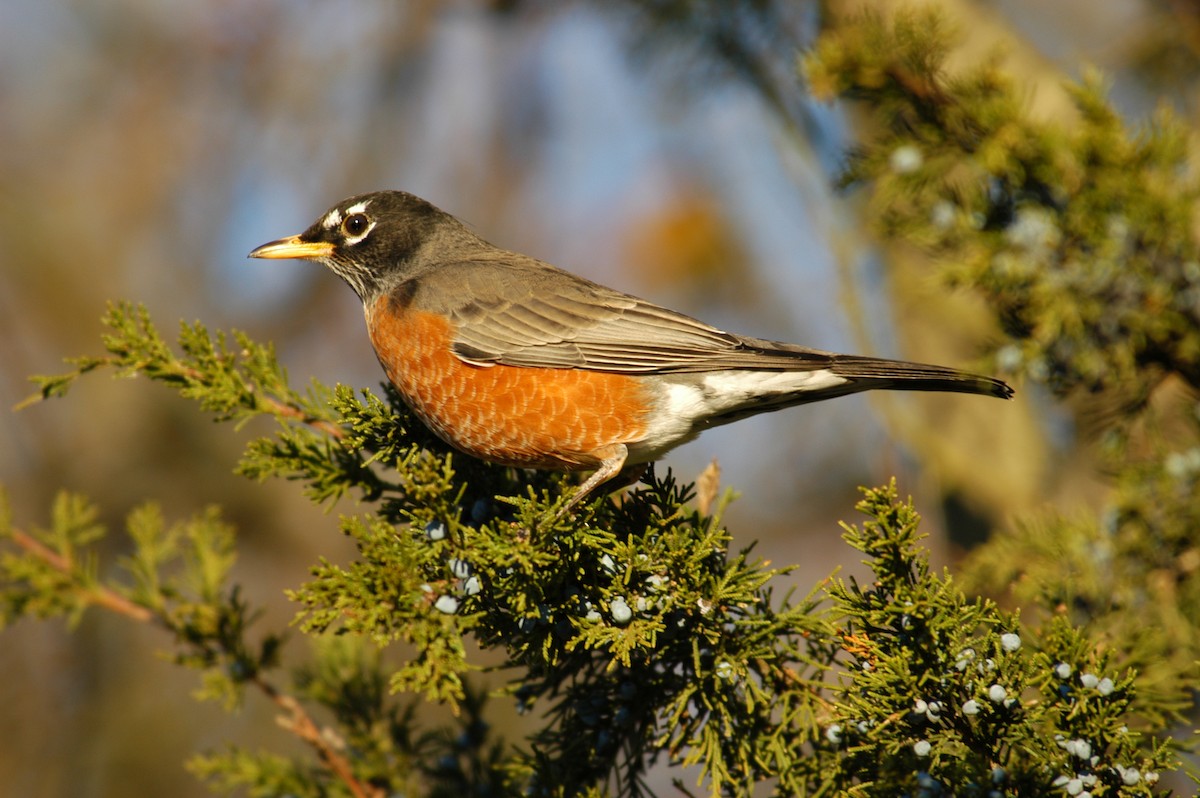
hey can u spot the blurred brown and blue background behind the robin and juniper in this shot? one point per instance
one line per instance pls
(664, 148)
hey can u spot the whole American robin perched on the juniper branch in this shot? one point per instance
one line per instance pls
(519, 363)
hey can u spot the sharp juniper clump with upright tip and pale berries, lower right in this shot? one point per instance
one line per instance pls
(976, 705)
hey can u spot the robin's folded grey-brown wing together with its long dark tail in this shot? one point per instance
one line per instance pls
(533, 315)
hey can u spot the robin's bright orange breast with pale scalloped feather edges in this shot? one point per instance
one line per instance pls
(539, 418)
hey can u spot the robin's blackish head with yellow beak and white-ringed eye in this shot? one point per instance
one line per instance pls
(375, 242)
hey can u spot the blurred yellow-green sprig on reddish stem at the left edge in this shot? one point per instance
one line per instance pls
(177, 578)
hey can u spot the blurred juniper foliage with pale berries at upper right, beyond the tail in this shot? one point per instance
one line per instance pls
(1081, 237)
